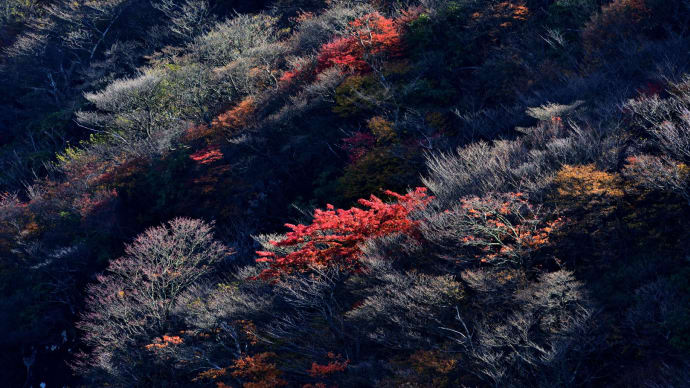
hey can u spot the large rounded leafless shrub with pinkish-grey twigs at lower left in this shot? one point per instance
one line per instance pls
(133, 303)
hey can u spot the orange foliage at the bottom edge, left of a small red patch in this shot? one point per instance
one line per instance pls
(259, 372)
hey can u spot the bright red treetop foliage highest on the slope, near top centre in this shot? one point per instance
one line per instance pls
(371, 35)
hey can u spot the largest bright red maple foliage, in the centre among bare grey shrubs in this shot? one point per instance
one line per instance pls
(335, 236)
